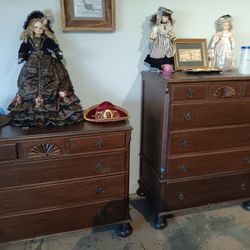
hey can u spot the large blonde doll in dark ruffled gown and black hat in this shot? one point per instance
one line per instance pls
(45, 93)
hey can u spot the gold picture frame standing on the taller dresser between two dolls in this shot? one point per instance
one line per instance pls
(190, 54)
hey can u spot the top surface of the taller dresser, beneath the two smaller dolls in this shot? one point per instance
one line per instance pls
(179, 77)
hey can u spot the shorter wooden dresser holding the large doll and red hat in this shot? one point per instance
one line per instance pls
(59, 179)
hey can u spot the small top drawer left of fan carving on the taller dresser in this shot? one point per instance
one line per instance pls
(188, 92)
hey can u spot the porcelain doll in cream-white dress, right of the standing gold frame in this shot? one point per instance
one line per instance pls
(221, 50)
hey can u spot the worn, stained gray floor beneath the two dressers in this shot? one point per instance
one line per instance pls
(225, 228)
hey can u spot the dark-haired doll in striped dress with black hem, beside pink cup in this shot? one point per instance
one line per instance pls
(162, 37)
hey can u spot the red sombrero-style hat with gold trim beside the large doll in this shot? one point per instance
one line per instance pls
(105, 112)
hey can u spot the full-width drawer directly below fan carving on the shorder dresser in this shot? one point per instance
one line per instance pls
(35, 172)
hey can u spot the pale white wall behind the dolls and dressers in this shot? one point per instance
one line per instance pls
(107, 66)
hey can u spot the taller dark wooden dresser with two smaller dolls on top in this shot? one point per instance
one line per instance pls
(195, 141)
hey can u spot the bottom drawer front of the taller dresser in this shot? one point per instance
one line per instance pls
(207, 190)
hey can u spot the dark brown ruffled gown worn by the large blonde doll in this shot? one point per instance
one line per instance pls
(38, 102)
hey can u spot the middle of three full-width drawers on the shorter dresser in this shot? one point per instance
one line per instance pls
(69, 193)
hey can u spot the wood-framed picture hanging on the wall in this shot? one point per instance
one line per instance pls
(88, 15)
